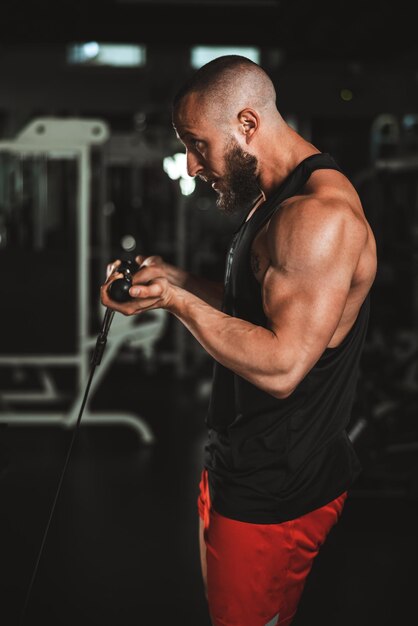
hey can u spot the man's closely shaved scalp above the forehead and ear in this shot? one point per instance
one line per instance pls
(228, 84)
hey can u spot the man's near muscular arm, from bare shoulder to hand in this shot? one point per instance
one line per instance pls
(314, 252)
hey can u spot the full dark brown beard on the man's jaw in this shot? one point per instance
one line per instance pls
(239, 187)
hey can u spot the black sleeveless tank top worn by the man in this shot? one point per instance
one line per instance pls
(270, 460)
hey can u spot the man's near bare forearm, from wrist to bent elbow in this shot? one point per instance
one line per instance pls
(248, 350)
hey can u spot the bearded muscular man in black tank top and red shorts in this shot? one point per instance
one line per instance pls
(285, 330)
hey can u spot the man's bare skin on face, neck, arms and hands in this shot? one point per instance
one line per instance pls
(315, 260)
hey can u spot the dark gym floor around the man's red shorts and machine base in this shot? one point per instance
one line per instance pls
(121, 549)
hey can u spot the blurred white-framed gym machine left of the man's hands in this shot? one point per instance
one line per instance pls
(49, 315)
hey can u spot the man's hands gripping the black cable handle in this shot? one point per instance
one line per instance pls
(150, 289)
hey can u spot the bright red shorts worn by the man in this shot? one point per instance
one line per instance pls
(256, 572)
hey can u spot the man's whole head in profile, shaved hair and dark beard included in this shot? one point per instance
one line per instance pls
(222, 114)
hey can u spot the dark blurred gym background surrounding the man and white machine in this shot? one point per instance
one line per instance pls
(122, 546)
